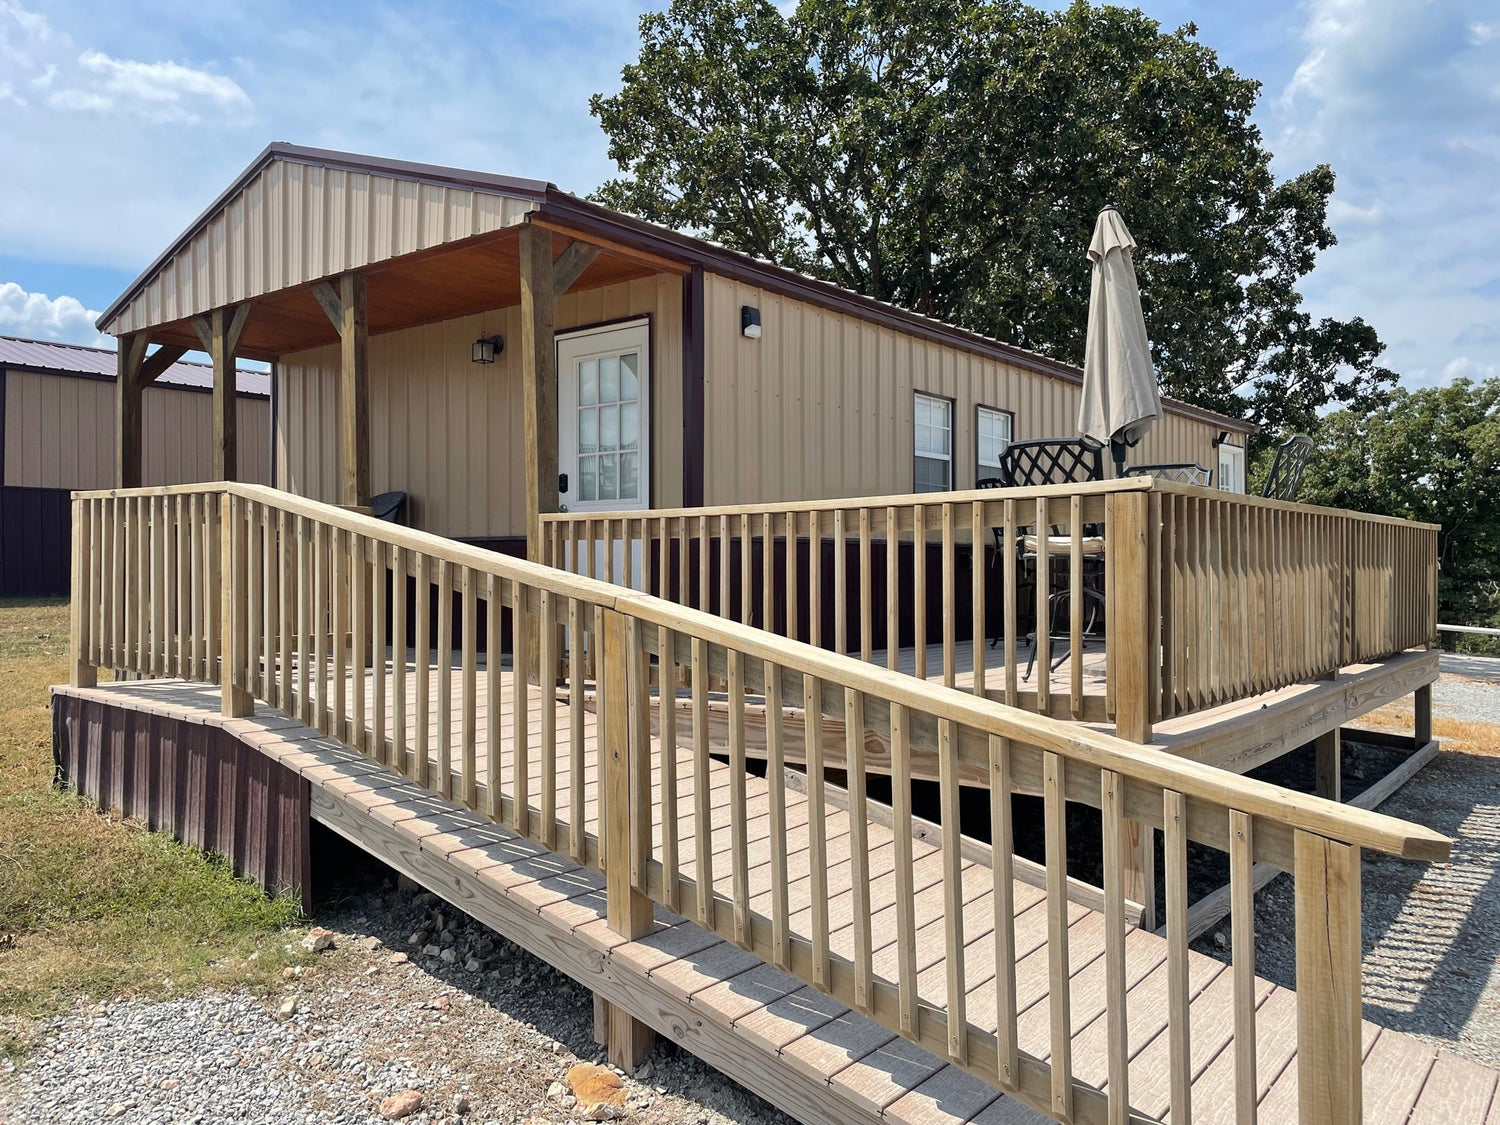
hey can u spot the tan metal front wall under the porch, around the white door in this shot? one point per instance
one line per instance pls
(448, 431)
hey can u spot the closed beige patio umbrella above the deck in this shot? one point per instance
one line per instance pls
(1120, 385)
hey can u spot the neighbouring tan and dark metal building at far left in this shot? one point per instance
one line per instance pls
(58, 436)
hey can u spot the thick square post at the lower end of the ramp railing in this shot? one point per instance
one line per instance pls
(1330, 1042)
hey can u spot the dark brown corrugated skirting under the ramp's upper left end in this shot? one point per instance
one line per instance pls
(199, 784)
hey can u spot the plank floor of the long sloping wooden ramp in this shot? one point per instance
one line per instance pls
(785, 1040)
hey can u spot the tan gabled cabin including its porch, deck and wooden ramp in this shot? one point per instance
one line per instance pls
(785, 737)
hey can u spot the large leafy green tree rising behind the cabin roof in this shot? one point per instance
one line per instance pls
(952, 157)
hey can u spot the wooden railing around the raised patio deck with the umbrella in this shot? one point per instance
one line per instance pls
(1160, 599)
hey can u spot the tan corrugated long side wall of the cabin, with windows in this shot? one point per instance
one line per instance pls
(821, 406)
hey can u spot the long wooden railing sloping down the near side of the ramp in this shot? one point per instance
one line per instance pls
(398, 644)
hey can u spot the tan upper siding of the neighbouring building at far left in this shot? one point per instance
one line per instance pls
(61, 434)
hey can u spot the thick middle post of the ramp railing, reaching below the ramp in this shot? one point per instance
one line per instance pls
(626, 769)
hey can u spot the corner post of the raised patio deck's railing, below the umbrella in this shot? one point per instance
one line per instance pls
(1132, 658)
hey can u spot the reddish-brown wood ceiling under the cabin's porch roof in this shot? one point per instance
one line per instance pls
(407, 292)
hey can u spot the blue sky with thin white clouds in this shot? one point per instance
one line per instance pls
(119, 124)
